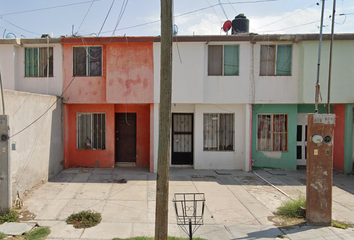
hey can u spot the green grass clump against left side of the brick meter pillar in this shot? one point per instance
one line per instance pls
(292, 208)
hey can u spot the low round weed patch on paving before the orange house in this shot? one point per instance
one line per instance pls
(84, 219)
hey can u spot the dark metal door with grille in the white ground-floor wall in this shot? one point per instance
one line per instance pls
(182, 138)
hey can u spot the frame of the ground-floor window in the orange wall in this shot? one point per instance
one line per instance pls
(91, 144)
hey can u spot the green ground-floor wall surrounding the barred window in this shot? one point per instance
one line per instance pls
(284, 160)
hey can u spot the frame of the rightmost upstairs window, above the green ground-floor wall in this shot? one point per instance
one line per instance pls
(274, 60)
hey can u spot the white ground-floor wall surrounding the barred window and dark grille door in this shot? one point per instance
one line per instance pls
(237, 159)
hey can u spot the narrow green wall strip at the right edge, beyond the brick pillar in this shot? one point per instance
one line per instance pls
(348, 139)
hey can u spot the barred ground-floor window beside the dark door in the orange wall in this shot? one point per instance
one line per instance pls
(91, 131)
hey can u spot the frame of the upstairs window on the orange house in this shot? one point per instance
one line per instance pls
(87, 61)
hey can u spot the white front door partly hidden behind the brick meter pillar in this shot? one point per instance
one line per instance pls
(301, 139)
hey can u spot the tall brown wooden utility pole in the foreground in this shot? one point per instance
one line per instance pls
(163, 158)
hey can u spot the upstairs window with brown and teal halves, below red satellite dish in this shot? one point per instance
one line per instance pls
(223, 60)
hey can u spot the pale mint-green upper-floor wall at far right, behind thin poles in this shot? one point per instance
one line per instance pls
(342, 80)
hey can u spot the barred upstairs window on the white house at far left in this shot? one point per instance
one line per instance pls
(36, 62)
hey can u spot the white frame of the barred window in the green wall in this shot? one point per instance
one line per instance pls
(272, 132)
